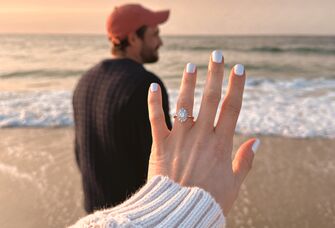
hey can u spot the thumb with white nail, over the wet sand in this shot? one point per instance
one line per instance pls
(244, 157)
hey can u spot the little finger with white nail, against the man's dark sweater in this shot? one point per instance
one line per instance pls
(156, 114)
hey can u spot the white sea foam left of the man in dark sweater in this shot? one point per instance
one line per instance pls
(36, 109)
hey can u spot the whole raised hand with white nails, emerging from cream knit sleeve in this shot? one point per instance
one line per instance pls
(197, 153)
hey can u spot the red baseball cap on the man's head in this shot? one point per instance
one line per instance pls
(128, 18)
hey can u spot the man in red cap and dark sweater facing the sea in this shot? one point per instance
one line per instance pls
(112, 128)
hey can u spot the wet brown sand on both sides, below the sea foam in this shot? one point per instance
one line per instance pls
(291, 184)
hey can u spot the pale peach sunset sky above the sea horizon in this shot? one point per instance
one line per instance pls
(188, 17)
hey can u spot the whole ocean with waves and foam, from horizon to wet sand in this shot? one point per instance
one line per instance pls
(290, 90)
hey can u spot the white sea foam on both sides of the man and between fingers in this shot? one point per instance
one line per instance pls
(293, 108)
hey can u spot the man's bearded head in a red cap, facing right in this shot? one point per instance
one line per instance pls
(133, 31)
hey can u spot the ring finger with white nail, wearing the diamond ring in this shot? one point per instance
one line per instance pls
(186, 97)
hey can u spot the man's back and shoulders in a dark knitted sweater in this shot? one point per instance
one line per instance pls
(113, 134)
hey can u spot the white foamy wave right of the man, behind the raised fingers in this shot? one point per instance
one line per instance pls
(298, 108)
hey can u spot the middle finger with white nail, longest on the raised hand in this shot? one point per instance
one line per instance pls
(212, 92)
